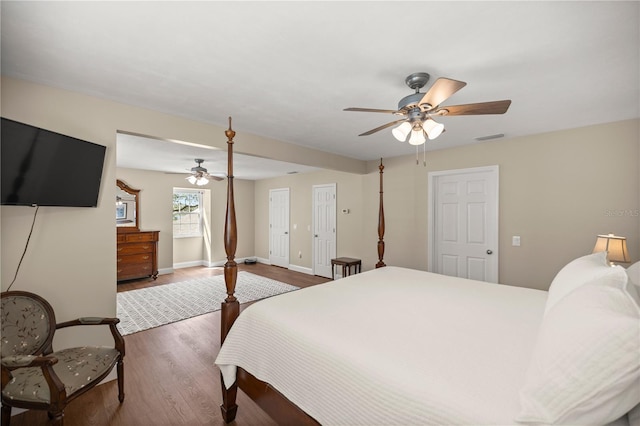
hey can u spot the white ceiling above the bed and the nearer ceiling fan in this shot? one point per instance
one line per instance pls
(286, 70)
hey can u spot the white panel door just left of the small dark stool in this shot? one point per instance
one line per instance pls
(324, 228)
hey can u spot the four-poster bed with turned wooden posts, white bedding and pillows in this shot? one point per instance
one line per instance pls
(400, 346)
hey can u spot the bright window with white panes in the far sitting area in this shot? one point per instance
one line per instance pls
(187, 213)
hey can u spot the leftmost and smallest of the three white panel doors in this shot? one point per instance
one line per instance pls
(279, 227)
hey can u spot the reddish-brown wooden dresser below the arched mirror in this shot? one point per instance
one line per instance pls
(137, 255)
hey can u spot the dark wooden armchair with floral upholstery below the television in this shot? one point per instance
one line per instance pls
(36, 377)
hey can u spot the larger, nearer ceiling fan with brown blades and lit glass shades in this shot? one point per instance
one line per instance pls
(417, 110)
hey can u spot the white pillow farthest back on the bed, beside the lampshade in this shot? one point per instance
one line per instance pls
(575, 274)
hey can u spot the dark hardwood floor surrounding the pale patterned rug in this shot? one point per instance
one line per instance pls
(170, 375)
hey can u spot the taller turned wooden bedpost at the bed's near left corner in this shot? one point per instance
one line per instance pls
(230, 306)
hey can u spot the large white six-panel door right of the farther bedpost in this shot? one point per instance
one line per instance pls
(463, 212)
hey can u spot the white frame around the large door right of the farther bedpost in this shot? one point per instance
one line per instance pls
(431, 225)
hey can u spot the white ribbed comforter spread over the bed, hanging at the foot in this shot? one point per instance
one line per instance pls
(392, 346)
